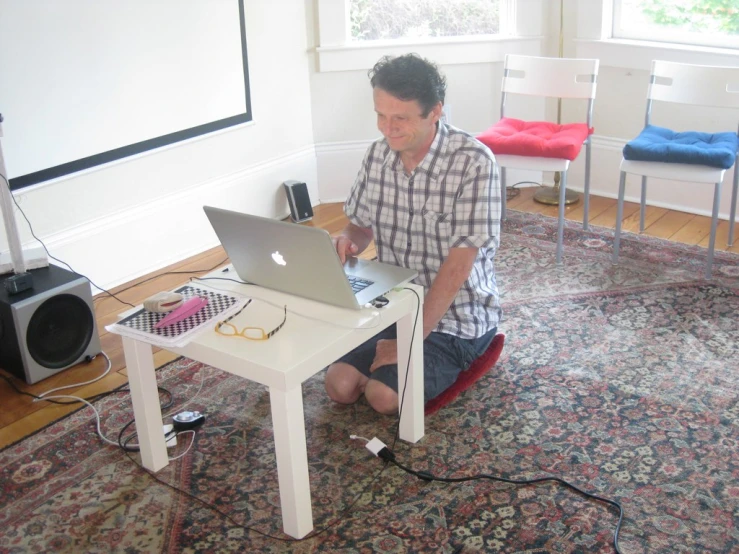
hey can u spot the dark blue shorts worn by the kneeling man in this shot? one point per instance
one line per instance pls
(444, 358)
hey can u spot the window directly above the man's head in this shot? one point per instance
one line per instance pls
(422, 19)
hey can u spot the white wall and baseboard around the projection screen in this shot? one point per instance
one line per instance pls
(117, 222)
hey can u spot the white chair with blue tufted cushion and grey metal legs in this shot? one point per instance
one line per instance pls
(684, 156)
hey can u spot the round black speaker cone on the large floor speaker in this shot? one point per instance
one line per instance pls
(59, 331)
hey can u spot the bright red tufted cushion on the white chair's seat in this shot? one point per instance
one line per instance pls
(536, 138)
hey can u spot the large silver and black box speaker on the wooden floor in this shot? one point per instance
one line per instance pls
(49, 327)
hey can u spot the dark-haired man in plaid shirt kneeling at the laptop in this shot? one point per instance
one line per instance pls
(428, 194)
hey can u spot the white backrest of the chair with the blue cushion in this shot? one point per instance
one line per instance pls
(699, 85)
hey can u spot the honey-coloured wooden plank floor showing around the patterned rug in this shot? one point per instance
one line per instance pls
(21, 416)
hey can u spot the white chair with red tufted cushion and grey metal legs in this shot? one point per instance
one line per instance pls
(541, 145)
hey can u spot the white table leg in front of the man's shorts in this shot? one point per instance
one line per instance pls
(411, 417)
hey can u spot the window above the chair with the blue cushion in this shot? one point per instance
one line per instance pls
(699, 22)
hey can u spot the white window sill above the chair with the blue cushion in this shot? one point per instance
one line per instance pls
(638, 54)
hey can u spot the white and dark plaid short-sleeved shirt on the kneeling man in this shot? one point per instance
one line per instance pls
(452, 199)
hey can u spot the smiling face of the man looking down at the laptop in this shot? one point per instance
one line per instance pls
(402, 124)
